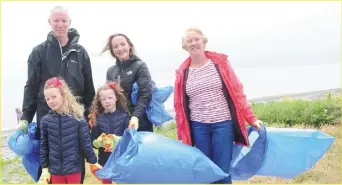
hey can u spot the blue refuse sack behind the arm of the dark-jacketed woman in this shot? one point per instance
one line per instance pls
(155, 111)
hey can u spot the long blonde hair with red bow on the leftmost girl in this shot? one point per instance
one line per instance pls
(70, 105)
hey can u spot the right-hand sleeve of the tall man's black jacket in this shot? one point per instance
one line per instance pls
(89, 89)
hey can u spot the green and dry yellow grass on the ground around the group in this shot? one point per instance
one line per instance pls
(323, 114)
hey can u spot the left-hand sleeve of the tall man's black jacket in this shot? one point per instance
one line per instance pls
(31, 88)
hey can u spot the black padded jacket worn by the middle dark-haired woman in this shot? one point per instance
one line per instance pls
(126, 73)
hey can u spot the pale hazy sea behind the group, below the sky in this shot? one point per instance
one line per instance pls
(268, 82)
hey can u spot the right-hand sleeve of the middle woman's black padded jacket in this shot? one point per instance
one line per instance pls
(144, 90)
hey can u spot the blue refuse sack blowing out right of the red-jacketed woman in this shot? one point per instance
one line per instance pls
(284, 152)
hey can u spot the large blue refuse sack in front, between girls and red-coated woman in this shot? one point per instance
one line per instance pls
(149, 158)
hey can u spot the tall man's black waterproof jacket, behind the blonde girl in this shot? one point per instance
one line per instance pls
(46, 61)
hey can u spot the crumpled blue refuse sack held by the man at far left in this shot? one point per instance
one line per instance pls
(24, 145)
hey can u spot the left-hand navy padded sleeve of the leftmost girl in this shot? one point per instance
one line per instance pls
(44, 144)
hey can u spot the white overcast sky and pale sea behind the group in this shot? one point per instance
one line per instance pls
(274, 47)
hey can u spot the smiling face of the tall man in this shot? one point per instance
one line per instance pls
(59, 21)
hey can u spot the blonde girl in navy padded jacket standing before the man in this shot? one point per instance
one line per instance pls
(64, 134)
